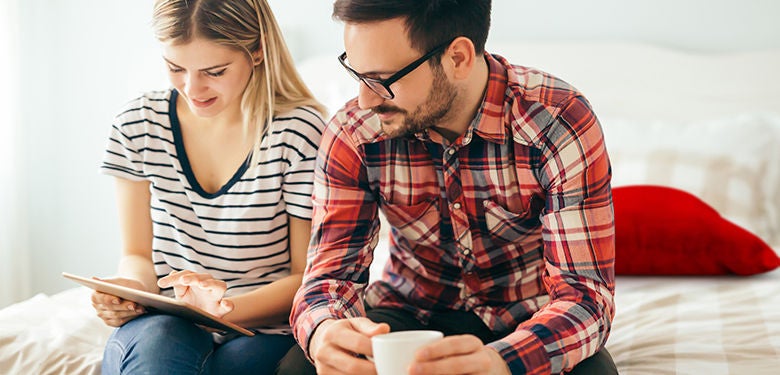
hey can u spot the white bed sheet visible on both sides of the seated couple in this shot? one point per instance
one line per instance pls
(664, 325)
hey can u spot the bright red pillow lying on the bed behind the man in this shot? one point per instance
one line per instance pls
(665, 231)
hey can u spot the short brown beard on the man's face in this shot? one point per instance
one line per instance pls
(441, 99)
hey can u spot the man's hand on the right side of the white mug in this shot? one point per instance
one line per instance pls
(464, 354)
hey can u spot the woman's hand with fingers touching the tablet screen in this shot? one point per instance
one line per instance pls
(200, 290)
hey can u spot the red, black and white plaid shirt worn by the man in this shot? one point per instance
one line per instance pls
(513, 221)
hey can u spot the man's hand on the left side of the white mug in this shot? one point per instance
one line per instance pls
(336, 344)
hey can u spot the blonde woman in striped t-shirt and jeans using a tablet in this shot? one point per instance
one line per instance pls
(214, 179)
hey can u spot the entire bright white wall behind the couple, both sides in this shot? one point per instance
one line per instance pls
(68, 65)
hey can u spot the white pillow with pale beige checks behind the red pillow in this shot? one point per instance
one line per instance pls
(732, 163)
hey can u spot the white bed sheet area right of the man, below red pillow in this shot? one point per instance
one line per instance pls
(697, 325)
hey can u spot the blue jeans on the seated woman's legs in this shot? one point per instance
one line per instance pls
(164, 344)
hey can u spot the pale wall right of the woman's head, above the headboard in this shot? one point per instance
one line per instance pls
(697, 25)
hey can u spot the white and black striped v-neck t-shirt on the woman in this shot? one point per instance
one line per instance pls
(238, 234)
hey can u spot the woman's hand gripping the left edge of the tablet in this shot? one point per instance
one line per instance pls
(116, 311)
